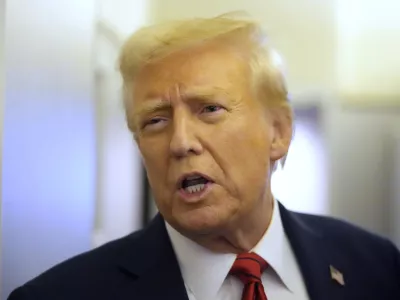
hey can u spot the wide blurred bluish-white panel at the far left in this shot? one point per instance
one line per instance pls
(49, 136)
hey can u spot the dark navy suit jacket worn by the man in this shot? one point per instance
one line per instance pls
(143, 266)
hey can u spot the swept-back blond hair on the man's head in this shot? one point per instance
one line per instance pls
(152, 43)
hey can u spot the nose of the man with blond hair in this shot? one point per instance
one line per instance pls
(184, 140)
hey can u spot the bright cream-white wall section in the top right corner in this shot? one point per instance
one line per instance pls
(369, 43)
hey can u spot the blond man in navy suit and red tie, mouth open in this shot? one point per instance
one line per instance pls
(208, 107)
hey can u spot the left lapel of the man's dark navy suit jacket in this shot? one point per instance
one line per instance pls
(153, 266)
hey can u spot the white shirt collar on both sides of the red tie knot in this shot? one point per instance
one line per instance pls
(204, 271)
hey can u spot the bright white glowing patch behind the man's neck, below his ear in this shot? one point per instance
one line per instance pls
(302, 184)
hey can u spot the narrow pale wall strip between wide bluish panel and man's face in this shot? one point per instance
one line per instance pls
(119, 181)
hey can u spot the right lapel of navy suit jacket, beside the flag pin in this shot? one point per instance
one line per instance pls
(315, 255)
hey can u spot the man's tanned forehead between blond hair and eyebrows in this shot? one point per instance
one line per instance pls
(211, 68)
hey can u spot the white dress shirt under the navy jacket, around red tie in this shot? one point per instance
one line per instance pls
(205, 273)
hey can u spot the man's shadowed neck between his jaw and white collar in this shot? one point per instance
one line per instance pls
(243, 234)
